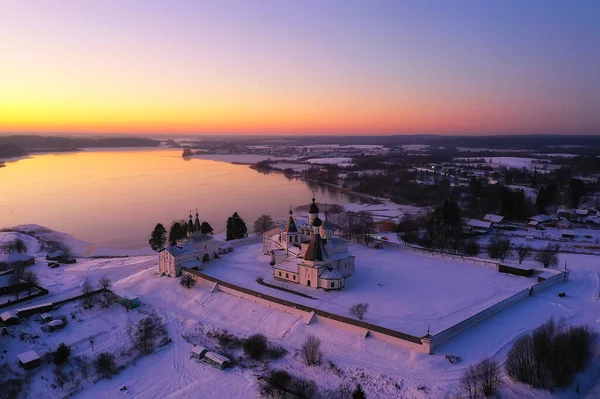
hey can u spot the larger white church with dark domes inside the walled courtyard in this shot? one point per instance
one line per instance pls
(309, 254)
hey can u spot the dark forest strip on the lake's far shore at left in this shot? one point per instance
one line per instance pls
(16, 146)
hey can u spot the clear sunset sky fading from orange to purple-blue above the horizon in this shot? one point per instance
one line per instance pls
(294, 67)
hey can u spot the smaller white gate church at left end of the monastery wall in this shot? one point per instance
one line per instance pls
(190, 252)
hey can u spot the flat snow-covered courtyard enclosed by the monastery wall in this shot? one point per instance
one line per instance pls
(406, 292)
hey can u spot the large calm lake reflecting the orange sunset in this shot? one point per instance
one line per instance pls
(115, 197)
